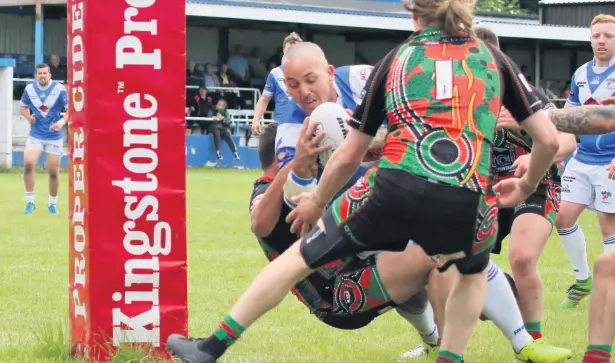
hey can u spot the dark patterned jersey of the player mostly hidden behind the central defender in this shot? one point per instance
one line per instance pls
(511, 144)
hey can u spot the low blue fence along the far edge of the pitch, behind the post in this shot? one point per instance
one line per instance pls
(199, 152)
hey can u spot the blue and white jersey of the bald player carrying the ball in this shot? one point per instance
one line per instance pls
(349, 82)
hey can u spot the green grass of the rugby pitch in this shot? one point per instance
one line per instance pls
(223, 257)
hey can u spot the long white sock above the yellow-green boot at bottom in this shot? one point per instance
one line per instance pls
(502, 309)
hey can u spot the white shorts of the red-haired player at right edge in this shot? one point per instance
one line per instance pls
(588, 185)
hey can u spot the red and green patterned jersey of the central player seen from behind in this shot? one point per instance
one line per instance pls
(441, 96)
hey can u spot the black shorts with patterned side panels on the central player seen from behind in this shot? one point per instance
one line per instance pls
(453, 225)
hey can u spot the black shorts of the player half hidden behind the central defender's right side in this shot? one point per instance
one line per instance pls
(544, 203)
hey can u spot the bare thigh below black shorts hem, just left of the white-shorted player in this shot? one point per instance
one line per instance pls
(532, 226)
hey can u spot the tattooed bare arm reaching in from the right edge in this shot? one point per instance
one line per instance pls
(588, 120)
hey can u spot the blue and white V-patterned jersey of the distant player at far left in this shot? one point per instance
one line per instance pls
(46, 105)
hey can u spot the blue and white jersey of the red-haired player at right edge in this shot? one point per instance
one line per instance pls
(590, 85)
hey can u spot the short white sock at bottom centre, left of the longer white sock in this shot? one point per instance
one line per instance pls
(418, 312)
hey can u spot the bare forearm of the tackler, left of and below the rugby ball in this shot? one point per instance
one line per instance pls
(265, 216)
